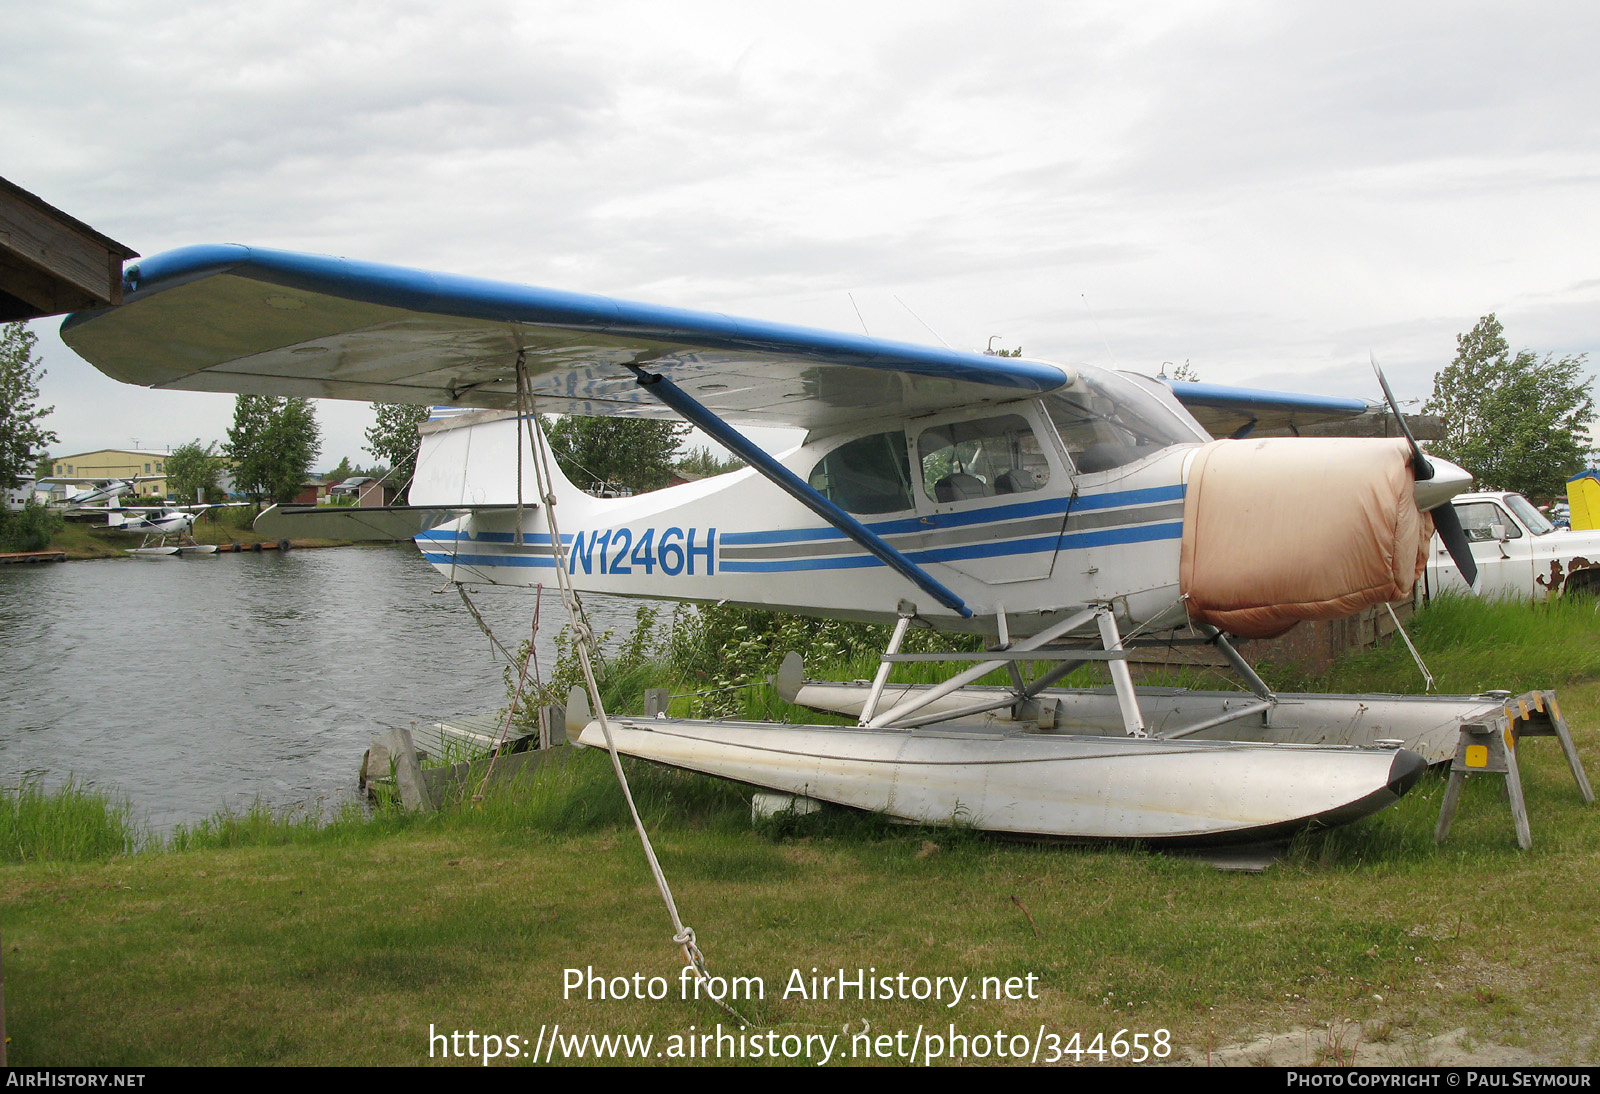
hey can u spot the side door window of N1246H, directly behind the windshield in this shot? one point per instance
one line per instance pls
(982, 458)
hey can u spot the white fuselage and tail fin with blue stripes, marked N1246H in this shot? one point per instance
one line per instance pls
(990, 501)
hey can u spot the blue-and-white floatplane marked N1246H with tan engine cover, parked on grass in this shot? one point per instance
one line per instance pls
(1068, 513)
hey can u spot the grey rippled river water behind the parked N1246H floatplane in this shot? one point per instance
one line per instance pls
(191, 685)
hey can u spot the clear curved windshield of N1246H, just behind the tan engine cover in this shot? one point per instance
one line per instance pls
(1108, 421)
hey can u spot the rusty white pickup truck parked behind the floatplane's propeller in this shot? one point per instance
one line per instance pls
(1521, 554)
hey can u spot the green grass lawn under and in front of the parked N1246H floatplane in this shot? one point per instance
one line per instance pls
(298, 940)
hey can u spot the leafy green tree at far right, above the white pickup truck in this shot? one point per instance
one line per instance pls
(1514, 423)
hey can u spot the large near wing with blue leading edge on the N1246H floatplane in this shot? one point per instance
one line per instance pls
(236, 319)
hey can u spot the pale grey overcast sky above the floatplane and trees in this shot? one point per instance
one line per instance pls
(1268, 191)
